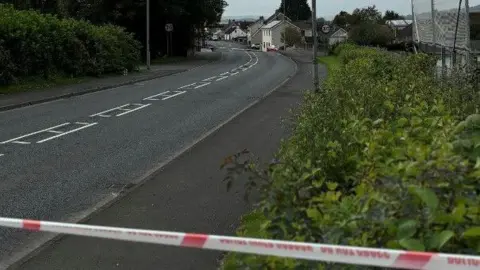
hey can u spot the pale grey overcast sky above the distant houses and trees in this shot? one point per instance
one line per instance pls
(328, 8)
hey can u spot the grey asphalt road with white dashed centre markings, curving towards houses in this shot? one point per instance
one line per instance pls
(60, 159)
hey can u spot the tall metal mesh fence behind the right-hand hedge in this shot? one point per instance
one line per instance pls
(442, 27)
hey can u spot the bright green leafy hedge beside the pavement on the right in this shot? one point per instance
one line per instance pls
(382, 157)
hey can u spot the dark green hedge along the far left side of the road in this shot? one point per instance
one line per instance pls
(32, 44)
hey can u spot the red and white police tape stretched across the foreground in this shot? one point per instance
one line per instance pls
(288, 249)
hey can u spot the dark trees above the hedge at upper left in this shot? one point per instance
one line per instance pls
(185, 15)
